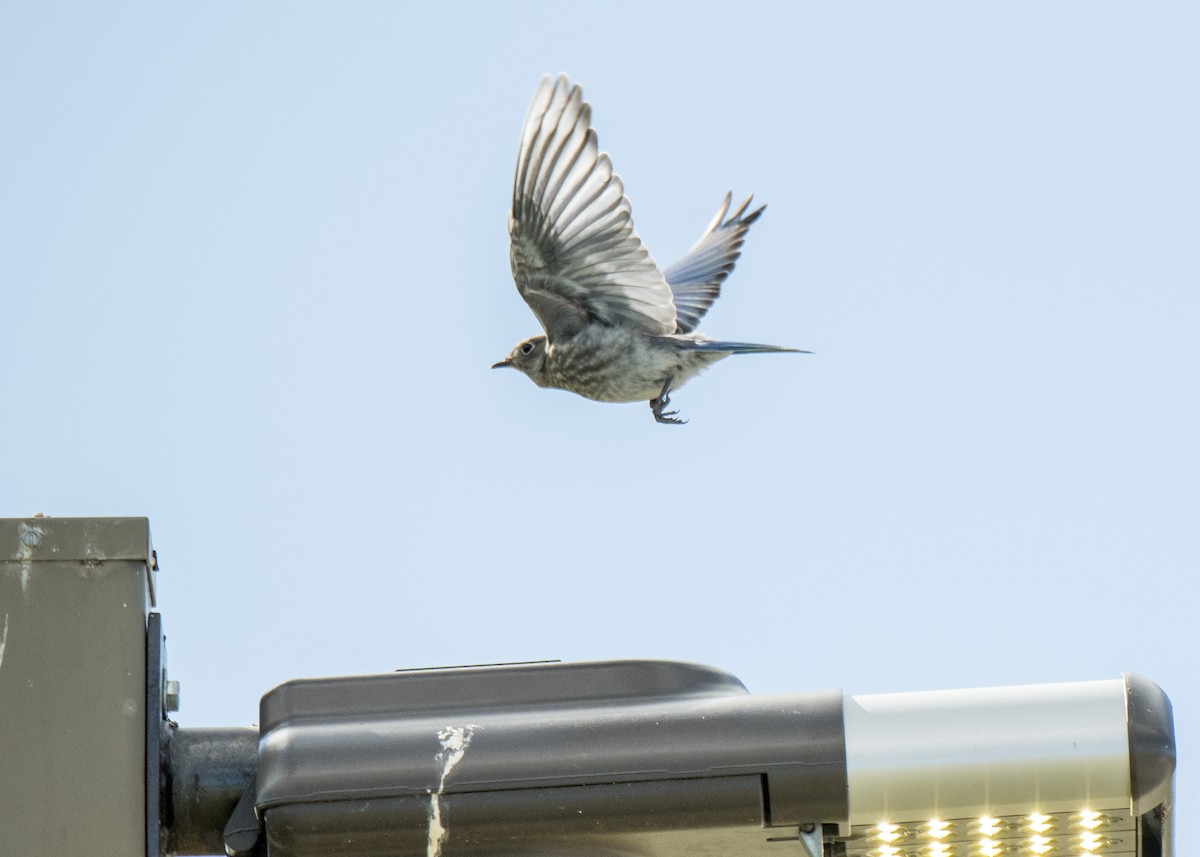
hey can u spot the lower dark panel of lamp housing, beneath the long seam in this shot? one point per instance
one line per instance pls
(703, 818)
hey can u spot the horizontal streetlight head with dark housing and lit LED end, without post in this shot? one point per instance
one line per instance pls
(667, 759)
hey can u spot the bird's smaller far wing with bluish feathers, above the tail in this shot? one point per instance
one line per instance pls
(697, 279)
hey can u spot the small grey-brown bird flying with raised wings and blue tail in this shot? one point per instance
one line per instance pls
(619, 329)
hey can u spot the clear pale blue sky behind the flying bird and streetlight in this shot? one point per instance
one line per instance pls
(255, 269)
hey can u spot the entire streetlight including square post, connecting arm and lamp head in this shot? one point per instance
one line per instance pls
(639, 759)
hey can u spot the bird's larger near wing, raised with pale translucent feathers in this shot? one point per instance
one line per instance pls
(575, 255)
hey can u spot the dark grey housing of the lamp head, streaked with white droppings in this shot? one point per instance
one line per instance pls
(653, 757)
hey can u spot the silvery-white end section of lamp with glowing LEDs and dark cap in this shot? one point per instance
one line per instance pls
(1037, 770)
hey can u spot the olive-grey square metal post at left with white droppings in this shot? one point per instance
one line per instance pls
(74, 600)
